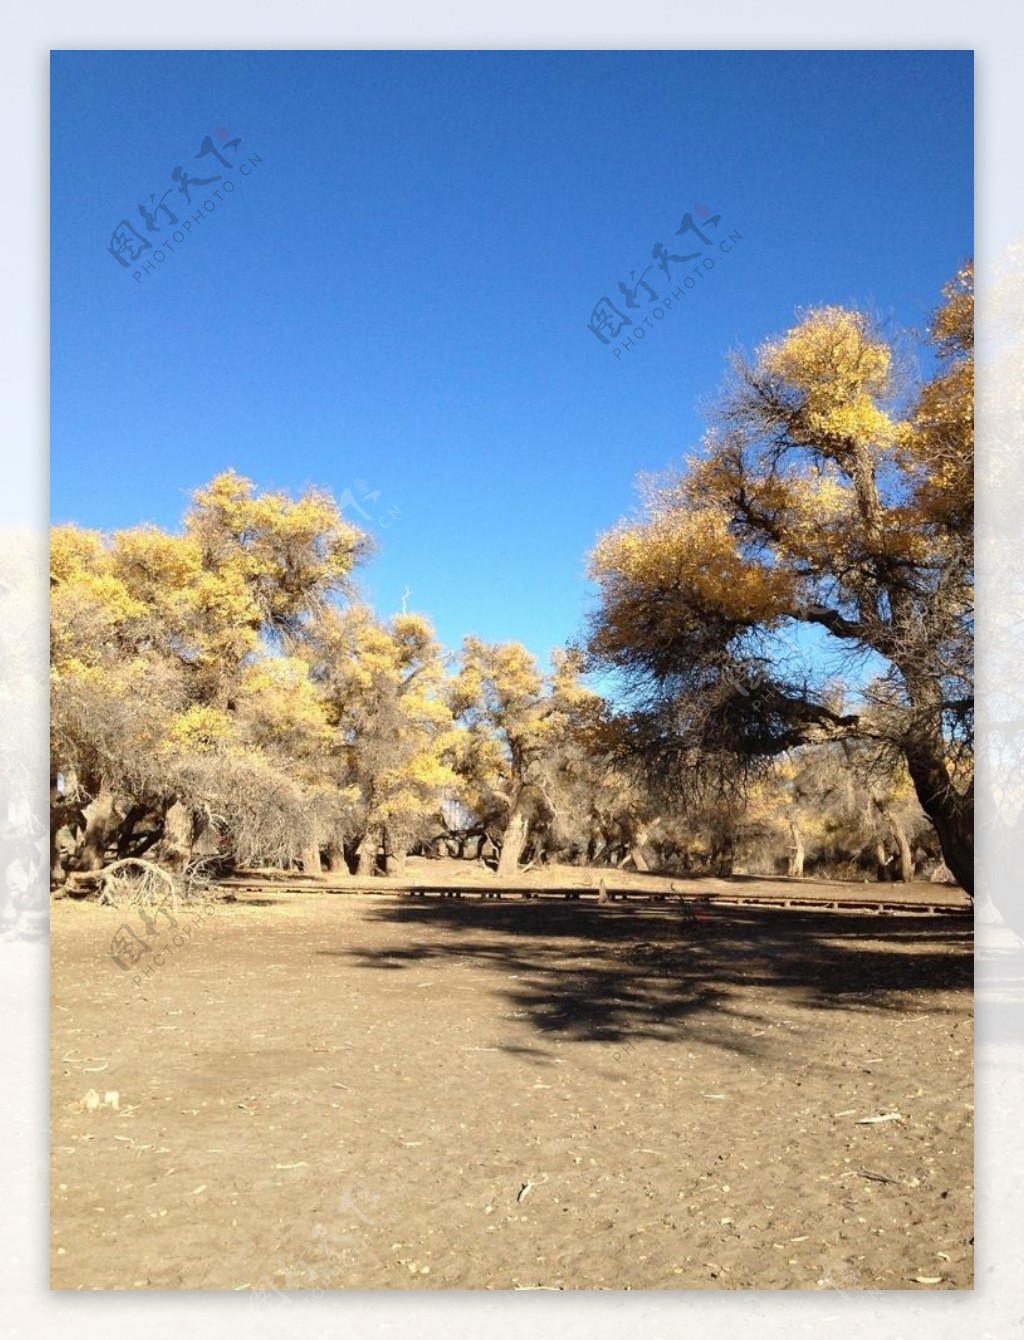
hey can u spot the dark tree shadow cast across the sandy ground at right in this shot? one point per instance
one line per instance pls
(609, 975)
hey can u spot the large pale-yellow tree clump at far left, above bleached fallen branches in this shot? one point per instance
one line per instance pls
(176, 693)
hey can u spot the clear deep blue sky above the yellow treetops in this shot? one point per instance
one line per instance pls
(396, 299)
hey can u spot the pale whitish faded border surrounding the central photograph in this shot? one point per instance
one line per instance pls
(994, 31)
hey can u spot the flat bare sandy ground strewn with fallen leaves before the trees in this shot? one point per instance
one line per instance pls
(375, 1093)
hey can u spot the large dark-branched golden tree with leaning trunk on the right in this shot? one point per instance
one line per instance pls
(830, 495)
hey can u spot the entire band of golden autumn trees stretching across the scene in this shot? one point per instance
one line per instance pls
(222, 695)
